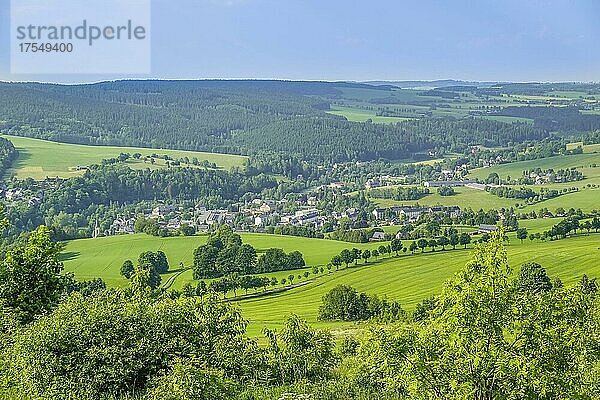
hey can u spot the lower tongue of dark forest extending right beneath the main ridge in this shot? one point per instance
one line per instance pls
(339, 140)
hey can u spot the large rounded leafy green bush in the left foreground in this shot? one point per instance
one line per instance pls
(113, 345)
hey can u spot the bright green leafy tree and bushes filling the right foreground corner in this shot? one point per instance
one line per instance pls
(485, 339)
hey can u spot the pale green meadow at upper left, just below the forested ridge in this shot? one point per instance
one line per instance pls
(39, 159)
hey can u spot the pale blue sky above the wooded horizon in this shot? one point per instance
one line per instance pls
(526, 40)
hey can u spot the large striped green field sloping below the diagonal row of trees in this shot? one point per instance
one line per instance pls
(410, 279)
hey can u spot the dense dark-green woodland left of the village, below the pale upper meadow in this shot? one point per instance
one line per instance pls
(107, 185)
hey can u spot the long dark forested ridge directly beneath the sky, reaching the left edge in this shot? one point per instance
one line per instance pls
(242, 117)
